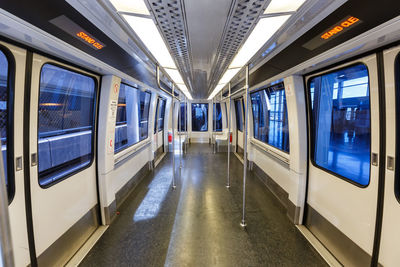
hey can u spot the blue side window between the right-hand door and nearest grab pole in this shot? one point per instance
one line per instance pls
(270, 118)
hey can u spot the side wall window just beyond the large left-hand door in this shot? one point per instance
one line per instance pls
(132, 117)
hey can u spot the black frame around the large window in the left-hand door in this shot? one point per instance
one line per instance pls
(94, 118)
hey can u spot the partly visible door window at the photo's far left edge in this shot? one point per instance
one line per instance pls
(5, 106)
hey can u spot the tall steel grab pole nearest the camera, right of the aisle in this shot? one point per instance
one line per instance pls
(246, 122)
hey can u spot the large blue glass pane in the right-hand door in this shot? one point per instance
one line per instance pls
(340, 123)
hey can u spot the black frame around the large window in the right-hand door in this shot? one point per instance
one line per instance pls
(312, 130)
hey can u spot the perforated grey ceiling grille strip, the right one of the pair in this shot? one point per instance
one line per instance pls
(237, 28)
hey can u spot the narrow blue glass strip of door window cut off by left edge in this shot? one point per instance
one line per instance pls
(4, 113)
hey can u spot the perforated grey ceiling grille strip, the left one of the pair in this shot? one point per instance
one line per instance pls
(170, 18)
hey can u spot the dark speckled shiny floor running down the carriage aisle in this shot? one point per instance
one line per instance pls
(198, 223)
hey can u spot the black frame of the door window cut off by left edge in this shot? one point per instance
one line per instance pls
(10, 121)
